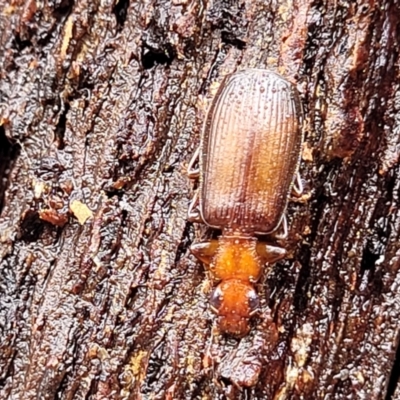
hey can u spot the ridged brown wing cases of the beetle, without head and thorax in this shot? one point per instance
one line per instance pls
(250, 151)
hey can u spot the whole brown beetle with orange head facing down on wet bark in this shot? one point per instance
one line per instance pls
(248, 160)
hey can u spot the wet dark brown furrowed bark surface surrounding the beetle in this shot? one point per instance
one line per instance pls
(101, 107)
